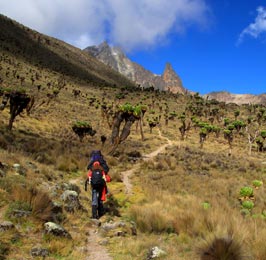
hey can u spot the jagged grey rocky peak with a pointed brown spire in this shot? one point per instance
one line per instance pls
(115, 58)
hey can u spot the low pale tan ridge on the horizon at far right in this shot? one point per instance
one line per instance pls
(227, 97)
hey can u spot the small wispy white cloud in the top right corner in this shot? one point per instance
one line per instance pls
(257, 28)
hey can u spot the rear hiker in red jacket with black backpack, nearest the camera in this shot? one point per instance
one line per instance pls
(97, 178)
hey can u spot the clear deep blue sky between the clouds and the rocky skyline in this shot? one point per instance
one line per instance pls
(223, 56)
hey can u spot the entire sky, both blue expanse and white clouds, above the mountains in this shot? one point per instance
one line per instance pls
(213, 45)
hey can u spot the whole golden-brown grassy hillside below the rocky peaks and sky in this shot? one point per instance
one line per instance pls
(191, 199)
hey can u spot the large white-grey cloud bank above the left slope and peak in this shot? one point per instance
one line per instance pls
(129, 23)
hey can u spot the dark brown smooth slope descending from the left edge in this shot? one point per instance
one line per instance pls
(55, 55)
